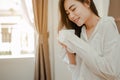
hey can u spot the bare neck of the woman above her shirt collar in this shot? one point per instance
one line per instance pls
(92, 22)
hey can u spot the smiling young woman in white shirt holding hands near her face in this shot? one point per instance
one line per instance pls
(94, 49)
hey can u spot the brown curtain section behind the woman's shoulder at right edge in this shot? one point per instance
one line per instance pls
(114, 10)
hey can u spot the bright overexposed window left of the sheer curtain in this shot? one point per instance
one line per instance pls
(16, 34)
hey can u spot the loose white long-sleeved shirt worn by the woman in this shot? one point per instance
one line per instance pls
(97, 58)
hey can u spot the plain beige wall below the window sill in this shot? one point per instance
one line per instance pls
(17, 68)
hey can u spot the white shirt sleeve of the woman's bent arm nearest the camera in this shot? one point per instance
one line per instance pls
(106, 66)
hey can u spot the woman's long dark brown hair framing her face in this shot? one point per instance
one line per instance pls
(64, 21)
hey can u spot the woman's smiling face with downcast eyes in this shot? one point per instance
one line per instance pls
(76, 11)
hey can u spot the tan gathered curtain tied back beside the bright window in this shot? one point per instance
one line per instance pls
(42, 61)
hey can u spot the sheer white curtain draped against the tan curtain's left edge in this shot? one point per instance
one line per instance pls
(28, 14)
